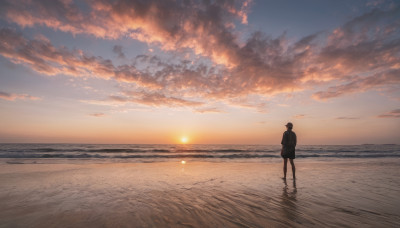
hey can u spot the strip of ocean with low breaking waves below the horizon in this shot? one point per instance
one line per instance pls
(192, 152)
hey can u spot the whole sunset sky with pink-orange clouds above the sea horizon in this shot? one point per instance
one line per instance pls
(218, 72)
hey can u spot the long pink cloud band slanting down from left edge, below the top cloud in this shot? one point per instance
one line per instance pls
(44, 58)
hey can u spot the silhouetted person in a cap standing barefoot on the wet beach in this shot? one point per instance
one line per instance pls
(289, 141)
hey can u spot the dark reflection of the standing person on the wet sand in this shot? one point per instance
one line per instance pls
(289, 201)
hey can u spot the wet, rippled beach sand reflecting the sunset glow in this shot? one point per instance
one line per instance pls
(200, 194)
